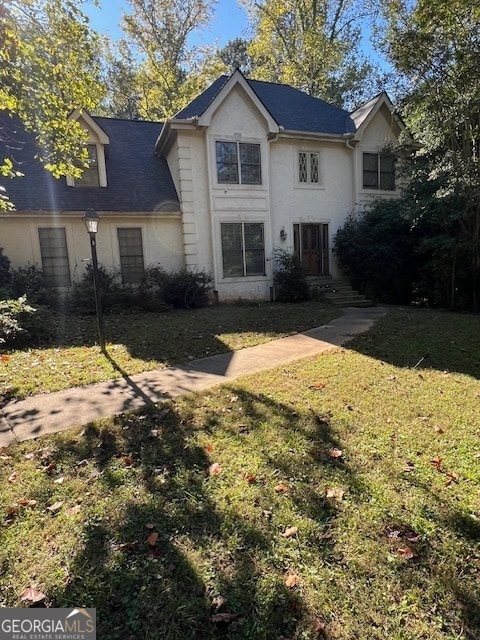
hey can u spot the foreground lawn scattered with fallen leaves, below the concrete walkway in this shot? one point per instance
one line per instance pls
(337, 497)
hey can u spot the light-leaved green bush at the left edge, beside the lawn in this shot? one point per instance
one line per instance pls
(23, 325)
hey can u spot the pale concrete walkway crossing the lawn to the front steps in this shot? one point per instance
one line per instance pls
(53, 412)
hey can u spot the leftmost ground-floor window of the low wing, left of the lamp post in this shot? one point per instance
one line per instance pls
(53, 249)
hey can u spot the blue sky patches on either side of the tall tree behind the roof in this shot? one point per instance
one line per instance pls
(230, 20)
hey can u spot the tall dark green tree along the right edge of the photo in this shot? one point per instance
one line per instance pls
(434, 44)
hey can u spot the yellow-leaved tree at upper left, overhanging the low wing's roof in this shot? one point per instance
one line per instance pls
(48, 68)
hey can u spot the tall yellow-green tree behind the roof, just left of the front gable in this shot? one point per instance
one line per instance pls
(161, 30)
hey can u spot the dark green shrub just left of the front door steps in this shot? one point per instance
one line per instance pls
(289, 277)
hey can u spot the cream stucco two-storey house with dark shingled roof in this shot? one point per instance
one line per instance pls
(245, 168)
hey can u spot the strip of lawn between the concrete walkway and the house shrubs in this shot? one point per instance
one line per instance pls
(145, 341)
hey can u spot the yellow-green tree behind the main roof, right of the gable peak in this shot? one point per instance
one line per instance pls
(313, 45)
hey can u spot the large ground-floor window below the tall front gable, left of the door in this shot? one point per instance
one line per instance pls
(243, 249)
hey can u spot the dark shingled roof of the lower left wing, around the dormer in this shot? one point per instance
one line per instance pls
(137, 179)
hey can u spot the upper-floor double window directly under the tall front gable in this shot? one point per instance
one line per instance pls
(238, 163)
